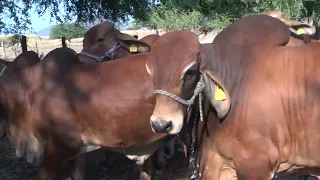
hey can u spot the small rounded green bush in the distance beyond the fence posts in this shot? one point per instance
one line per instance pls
(67, 30)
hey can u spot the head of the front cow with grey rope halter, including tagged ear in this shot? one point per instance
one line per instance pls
(176, 68)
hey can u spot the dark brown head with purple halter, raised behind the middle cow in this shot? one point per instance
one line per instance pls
(104, 42)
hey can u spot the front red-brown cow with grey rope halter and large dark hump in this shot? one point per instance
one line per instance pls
(260, 105)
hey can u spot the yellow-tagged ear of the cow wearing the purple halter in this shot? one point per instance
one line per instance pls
(132, 44)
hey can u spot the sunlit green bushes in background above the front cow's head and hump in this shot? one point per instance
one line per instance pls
(213, 14)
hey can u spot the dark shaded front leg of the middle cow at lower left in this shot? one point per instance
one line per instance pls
(55, 155)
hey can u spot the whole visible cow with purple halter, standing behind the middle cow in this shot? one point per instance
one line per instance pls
(103, 43)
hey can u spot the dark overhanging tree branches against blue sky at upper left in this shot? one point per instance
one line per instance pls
(14, 16)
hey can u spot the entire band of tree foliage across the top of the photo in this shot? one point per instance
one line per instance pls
(164, 14)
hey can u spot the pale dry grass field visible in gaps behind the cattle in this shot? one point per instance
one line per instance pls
(43, 45)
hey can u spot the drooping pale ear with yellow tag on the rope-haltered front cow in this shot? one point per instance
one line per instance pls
(217, 94)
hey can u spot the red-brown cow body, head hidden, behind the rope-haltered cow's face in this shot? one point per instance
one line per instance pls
(62, 108)
